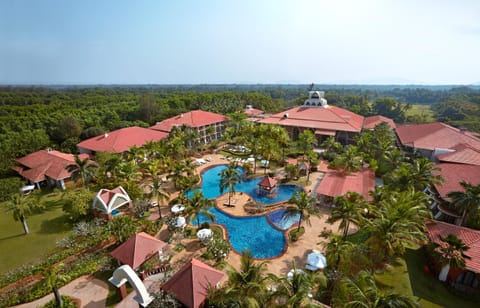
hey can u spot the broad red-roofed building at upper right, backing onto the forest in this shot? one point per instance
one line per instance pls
(434, 139)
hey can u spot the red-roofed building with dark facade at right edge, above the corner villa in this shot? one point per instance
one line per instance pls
(452, 175)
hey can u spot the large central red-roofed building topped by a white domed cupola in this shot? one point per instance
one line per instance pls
(323, 120)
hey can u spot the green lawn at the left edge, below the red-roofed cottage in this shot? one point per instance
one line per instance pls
(45, 228)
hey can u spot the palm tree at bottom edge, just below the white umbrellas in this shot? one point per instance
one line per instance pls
(295, 291)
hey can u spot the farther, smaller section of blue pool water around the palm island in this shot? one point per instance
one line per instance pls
(211, 187)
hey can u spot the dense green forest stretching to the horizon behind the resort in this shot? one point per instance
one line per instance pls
(32, 118)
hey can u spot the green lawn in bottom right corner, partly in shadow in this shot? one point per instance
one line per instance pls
(407, 277)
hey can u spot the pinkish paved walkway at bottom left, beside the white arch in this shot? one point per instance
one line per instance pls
(91, 291)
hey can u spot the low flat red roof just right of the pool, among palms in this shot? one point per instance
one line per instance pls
(335, 183)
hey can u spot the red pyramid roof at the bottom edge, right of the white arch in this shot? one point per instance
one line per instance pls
(190, 284)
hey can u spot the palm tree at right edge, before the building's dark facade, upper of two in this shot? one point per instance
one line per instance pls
(467, 201)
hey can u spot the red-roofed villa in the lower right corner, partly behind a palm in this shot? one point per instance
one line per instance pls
(468, 278)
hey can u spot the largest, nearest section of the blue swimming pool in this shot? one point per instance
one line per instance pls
(252, 233)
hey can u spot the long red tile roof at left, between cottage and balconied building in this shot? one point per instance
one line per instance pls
(122, 140)
